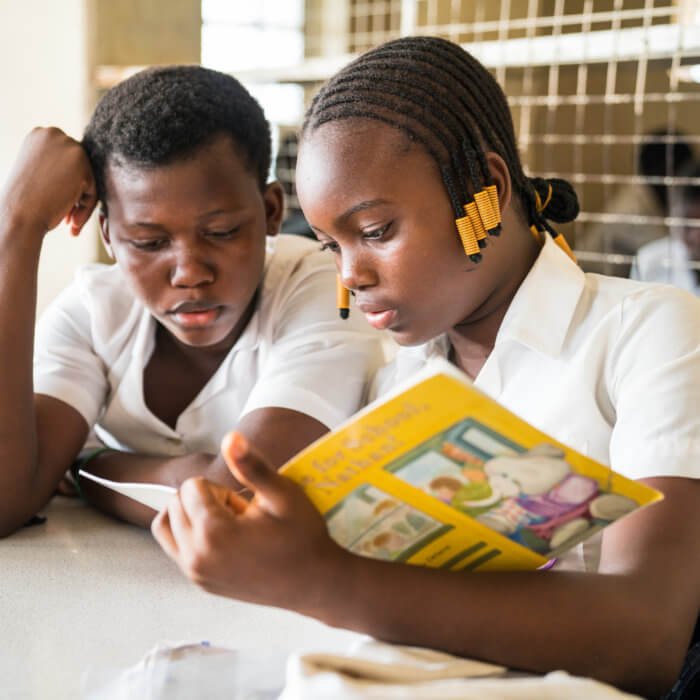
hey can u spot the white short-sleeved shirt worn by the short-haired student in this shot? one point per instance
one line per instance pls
(94, 342)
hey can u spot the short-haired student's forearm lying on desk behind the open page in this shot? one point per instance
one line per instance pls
(170, 471)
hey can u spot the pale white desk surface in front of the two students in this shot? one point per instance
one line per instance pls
(83, 591)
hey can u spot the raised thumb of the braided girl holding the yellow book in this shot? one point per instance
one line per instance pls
(274, 492)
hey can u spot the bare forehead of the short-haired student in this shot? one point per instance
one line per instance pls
(216, 171)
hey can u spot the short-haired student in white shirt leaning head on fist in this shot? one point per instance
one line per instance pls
(207, 320)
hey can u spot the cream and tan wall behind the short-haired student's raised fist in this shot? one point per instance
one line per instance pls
(49, 50)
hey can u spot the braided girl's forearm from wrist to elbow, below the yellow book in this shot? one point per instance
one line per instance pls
(603, 626)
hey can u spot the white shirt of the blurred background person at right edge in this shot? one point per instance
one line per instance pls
(666, 261)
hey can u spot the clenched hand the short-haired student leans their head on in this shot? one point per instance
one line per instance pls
(51, 180)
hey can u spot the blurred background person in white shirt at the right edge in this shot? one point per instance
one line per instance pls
(675, 258)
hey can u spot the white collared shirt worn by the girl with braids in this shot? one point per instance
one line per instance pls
(608, 366)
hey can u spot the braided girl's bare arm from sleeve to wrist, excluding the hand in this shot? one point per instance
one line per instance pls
(629, 624)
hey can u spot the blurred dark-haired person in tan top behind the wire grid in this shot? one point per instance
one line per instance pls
(642, 205)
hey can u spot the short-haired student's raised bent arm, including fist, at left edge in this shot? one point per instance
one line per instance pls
(38, 438)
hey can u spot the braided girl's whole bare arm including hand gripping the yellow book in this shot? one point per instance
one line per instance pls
(628, 625)
